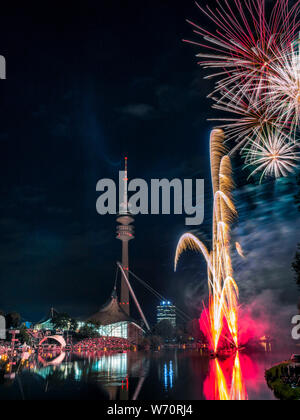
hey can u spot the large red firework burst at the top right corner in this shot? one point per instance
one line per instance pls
(245, 42)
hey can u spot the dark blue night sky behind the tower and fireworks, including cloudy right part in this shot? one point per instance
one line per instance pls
(87, 85)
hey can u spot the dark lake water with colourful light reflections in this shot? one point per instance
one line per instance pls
(166, 375)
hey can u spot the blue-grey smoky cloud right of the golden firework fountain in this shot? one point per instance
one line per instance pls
(269, 238)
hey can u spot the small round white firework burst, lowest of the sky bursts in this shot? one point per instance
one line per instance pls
(273, 154)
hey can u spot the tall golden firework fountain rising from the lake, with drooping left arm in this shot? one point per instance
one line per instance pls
(223, 290)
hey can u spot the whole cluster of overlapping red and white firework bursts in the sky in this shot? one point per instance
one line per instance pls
(256, 61)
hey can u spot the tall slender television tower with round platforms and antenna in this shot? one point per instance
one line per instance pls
(125, 232)
